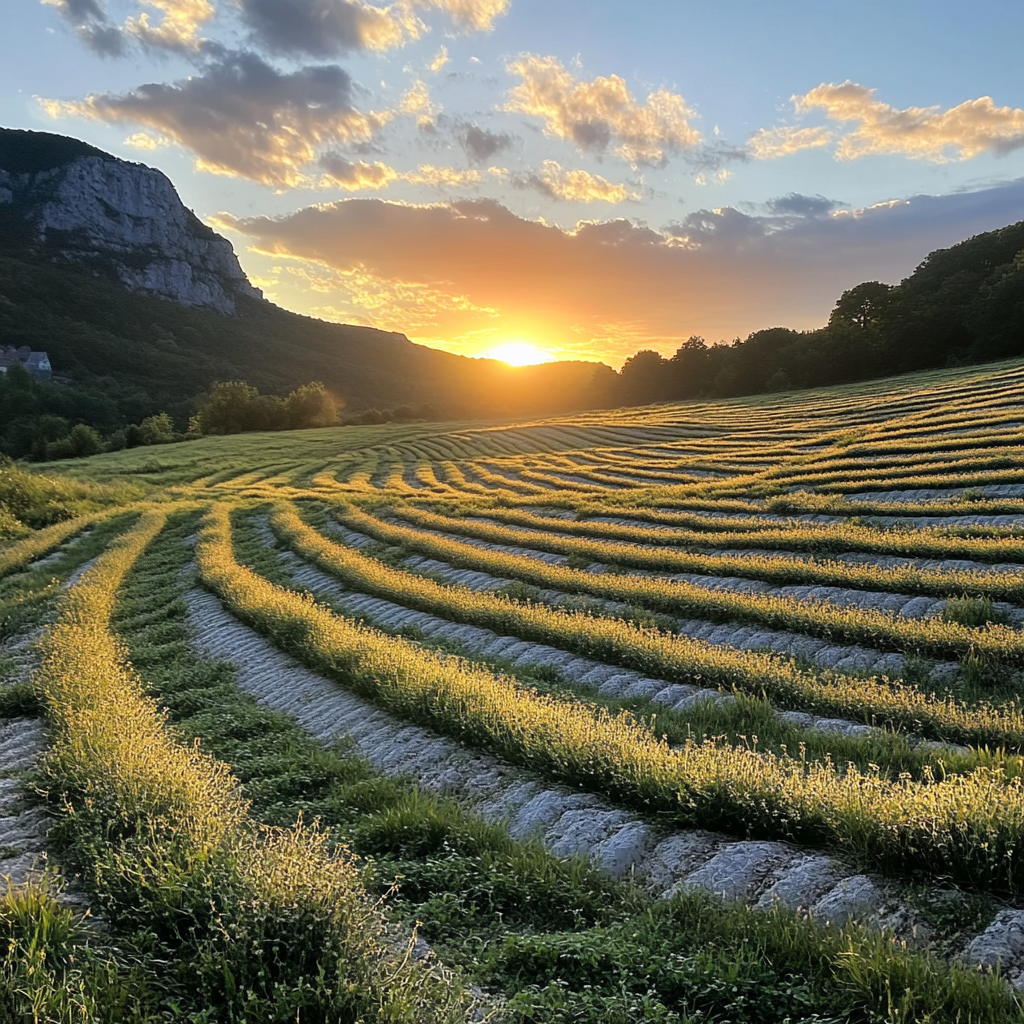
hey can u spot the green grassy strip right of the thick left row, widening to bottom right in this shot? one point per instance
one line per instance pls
(553, 937)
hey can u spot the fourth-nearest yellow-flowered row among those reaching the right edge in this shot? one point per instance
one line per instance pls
(860, 576)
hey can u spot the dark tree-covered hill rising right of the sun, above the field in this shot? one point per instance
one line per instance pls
(963, 305)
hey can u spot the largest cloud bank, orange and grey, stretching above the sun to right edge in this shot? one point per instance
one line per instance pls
(616, 285)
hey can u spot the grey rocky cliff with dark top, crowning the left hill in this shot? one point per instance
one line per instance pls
(74, 203)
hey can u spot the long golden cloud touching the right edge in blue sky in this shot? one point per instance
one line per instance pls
(961, 133)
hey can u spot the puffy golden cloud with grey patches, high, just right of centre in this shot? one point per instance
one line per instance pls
(602, 114)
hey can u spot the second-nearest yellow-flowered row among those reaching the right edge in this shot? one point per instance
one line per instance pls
(664, 656)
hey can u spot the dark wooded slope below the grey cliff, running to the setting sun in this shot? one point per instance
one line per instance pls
(122, 356)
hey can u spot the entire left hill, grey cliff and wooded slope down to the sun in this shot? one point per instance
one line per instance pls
(142, 307)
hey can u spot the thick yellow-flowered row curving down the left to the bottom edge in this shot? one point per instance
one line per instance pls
(253, 922)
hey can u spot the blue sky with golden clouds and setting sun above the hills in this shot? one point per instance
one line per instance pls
(549, 179)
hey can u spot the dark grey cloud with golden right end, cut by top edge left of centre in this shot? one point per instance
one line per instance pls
(326, 28)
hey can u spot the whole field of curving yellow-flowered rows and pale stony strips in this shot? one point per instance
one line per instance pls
(687, 713)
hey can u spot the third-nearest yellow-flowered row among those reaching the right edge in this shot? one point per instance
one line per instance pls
(932, 637)
